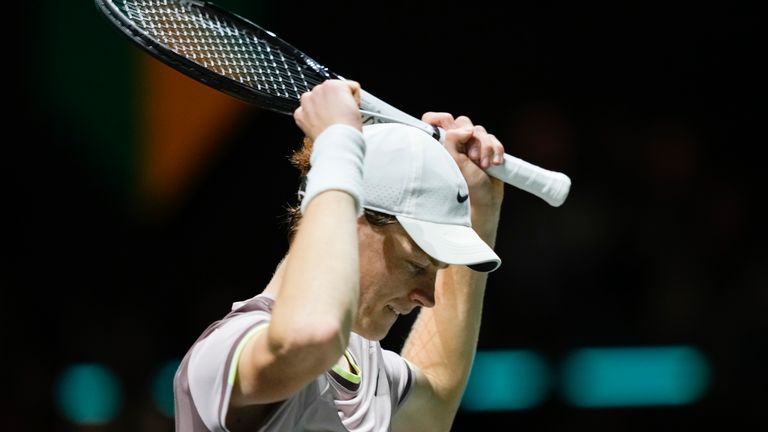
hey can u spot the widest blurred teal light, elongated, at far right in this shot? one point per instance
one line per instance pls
(614, 377)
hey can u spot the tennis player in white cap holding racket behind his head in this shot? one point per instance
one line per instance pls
(389, 221)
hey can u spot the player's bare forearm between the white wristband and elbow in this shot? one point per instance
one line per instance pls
(319, 294)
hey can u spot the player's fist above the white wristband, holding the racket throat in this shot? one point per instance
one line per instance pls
(330, 102)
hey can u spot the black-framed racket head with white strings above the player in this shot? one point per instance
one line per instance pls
(220, 49)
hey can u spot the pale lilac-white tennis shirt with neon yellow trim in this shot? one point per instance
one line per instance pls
(361, 398)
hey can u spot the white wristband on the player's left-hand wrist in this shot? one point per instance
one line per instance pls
(336, 164)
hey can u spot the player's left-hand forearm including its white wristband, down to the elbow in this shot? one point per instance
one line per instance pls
(319, 292)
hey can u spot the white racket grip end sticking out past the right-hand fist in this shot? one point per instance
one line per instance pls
(551, 186)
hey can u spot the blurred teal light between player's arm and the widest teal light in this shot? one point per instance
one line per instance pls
(506, 380)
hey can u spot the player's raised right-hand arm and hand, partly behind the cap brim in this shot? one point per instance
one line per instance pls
(443, 340)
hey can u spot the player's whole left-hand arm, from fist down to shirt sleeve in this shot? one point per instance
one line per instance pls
(317, 301)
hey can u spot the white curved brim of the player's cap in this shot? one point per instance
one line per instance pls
(451, 244)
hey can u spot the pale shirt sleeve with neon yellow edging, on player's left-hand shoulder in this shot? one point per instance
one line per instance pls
(213, 365)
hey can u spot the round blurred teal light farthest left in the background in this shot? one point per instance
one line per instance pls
(88, 394)
